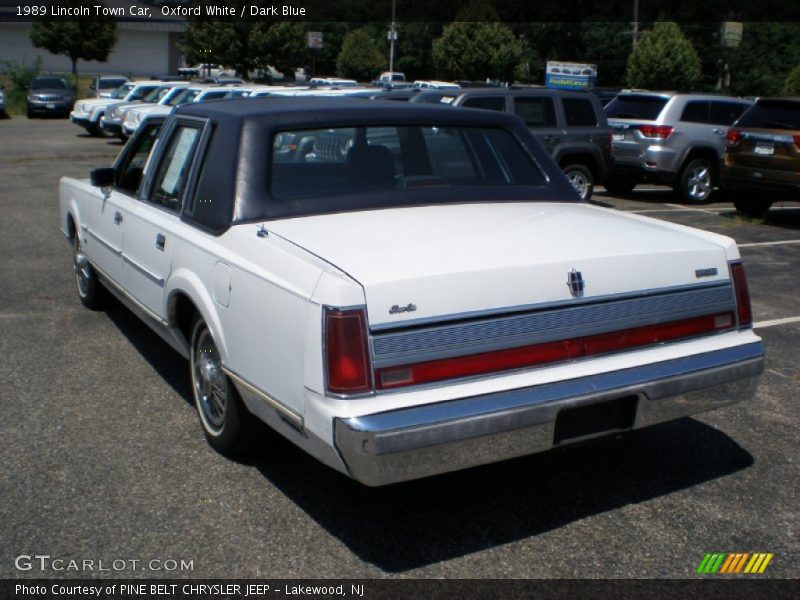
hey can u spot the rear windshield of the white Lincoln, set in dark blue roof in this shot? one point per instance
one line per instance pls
(326, 163)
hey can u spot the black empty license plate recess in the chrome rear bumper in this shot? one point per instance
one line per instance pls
(595, 420)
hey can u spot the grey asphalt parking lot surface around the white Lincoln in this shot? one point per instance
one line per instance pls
(103, 456)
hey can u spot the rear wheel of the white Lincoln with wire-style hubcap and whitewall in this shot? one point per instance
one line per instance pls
(227, 423)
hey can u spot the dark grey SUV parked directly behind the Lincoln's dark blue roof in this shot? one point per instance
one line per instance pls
(571, 125)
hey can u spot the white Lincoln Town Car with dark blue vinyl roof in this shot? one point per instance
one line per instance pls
(414, 304)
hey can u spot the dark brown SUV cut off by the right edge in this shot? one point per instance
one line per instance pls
(761, 164)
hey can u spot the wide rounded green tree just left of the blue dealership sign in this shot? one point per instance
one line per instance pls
(477, 50)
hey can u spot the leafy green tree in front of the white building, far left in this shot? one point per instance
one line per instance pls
(81, 39)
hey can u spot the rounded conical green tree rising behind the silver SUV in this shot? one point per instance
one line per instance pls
(664, 60)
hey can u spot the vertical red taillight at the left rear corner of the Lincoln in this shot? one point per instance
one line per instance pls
(346, 352)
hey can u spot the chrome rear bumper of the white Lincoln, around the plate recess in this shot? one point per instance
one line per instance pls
(410, 443)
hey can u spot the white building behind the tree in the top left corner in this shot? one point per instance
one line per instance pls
(145, 47)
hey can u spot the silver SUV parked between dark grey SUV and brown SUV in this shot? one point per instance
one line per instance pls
(670, 138)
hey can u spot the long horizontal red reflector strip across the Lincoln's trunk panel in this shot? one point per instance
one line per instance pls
(514, 358)
